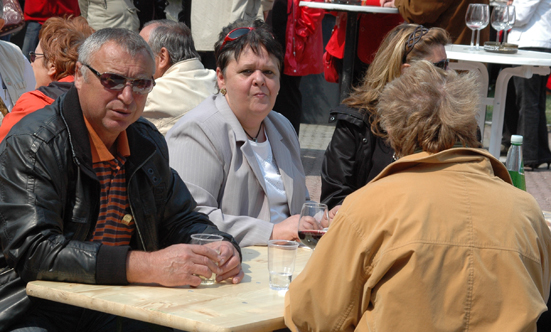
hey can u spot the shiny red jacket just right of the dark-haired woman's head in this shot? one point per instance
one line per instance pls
(304, 49)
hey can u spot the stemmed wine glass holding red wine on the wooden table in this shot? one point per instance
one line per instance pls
(313, 223)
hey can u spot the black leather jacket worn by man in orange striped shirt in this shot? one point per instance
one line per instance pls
(49, 203)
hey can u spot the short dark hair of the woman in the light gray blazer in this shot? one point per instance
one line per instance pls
(260, 37)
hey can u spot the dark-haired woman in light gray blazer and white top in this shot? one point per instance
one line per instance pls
(240, 160)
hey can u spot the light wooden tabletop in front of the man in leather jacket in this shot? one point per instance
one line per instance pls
(248, 306)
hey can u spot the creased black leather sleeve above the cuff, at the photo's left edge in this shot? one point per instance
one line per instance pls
(34, 192)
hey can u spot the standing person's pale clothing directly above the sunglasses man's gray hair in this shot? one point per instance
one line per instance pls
(110, 14)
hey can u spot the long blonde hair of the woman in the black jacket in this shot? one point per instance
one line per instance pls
(387, 64)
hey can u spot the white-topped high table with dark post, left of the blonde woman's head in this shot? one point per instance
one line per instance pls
(352, 12)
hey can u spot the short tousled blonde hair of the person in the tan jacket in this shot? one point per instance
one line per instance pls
(430, 109)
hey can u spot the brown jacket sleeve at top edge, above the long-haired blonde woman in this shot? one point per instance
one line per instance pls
(422, 11)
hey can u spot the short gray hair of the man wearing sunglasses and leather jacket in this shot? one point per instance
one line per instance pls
(128, 40)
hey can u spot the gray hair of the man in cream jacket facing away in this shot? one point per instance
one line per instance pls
(175, 37)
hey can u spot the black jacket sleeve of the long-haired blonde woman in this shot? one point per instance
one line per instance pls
(338, 179)
